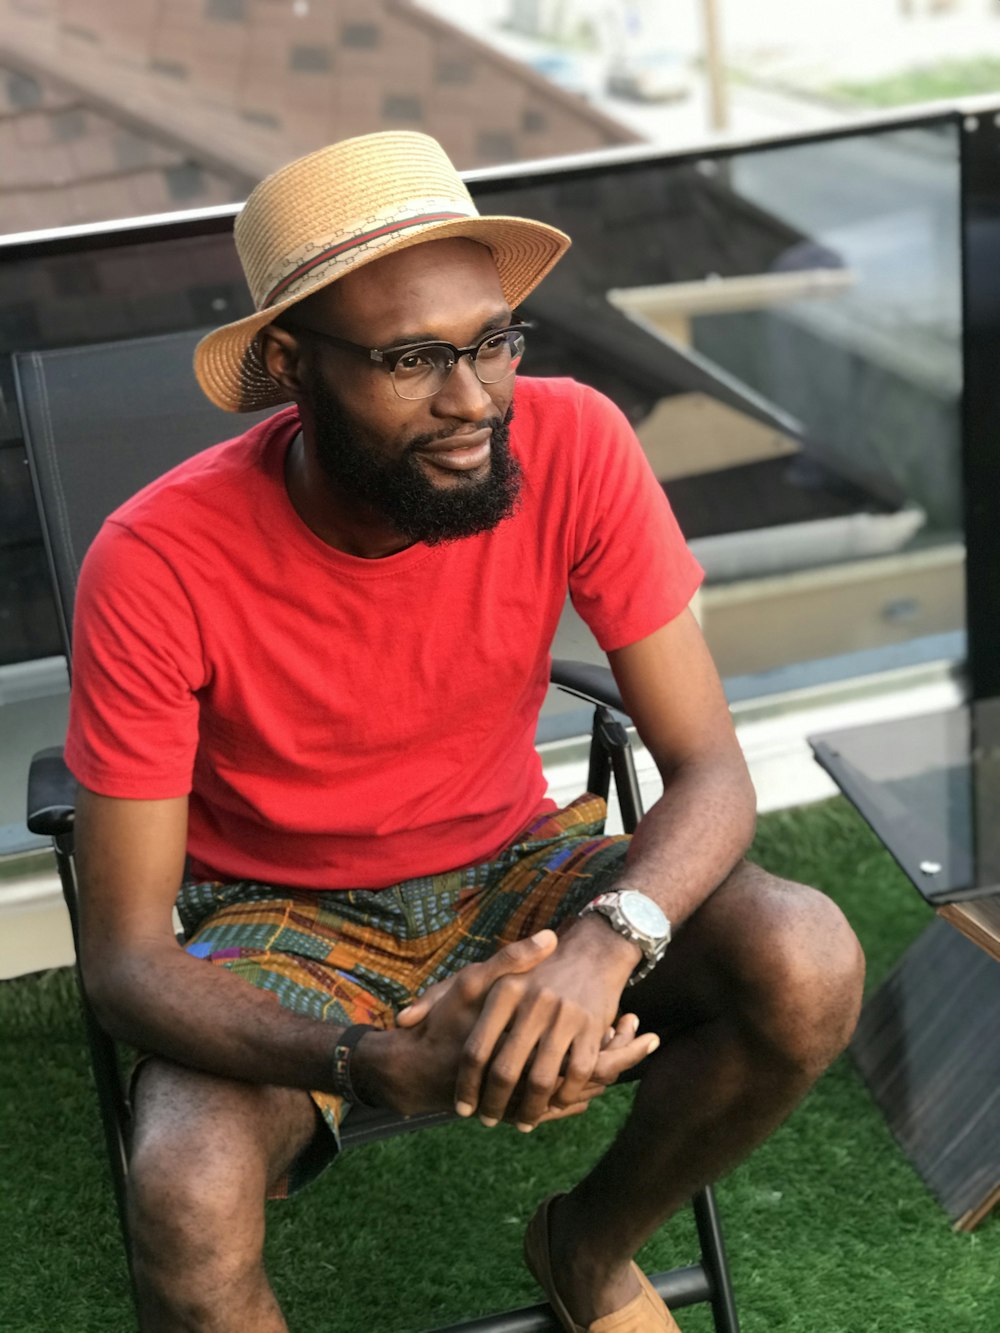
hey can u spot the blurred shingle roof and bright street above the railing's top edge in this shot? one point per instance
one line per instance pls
(113, 109)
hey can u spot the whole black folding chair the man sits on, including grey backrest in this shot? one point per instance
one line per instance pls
(99, 423)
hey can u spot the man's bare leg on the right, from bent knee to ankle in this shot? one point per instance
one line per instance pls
(755, 998)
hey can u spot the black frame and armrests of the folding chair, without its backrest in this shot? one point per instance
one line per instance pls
(51, 812)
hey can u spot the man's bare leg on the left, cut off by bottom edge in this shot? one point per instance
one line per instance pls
(206, 1152)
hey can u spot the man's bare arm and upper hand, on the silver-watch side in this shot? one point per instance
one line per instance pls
(685, 847)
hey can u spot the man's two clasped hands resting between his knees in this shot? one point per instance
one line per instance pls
(527, 1036)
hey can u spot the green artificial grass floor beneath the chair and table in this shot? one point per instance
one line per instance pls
(829, 1228)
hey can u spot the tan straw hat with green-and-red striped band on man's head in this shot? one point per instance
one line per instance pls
(333, 211)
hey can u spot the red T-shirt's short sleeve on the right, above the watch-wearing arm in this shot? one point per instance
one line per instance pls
(631, 570)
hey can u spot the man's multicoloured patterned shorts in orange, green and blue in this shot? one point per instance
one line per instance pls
(361, 956)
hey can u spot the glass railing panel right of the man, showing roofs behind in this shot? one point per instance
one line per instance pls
(783, 327)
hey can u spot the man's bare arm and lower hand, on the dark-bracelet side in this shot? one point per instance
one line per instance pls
(150, 992)
